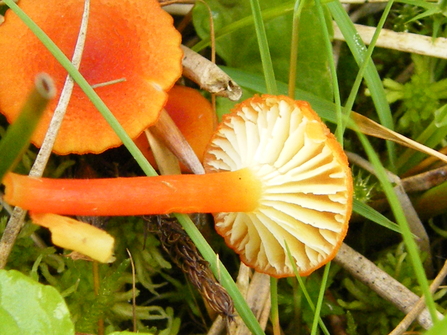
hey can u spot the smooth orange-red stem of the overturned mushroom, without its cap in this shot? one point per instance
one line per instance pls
(235, 191)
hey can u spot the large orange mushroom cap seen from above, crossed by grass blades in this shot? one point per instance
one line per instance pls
(134, 39)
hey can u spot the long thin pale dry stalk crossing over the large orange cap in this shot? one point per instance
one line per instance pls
(16, 220)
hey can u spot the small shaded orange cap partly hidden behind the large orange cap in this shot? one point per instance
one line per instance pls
(193, 115)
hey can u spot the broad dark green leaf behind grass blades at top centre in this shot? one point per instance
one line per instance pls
(239, 48)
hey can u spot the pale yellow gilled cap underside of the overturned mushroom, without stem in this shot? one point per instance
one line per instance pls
(306, 200)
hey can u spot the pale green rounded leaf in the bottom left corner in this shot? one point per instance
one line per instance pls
(28, 307)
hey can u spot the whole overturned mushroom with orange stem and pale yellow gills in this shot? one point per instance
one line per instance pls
(280, 178)
